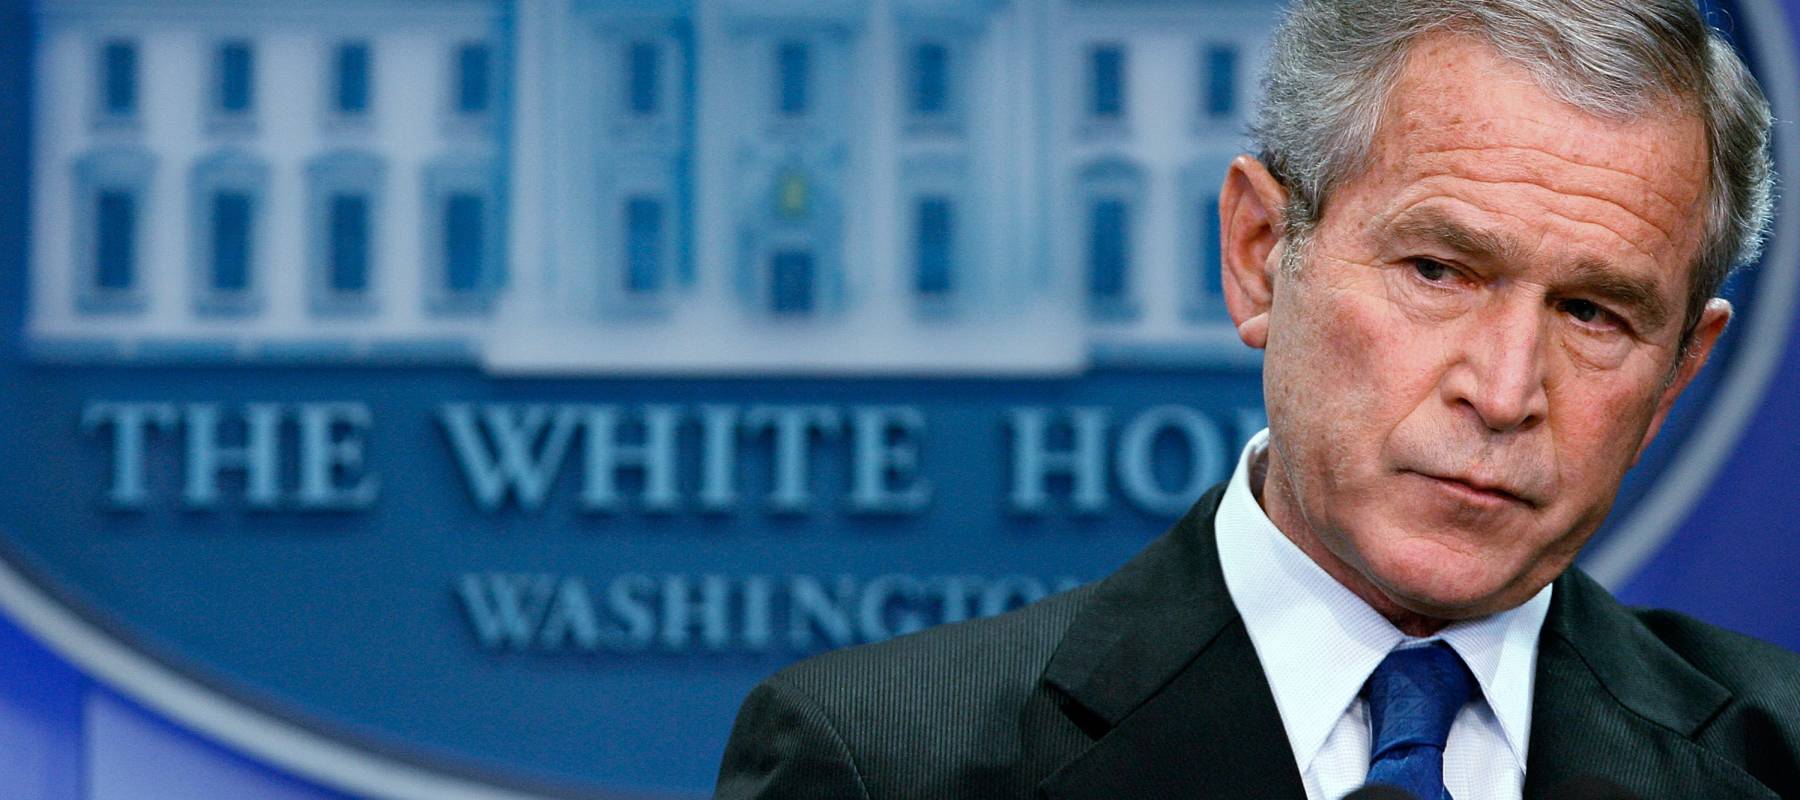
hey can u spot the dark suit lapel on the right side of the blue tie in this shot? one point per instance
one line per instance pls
(1614, 702)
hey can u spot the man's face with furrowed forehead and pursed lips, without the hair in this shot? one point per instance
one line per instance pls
(1482, 336)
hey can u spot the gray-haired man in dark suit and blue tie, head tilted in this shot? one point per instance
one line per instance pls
(1480, 250)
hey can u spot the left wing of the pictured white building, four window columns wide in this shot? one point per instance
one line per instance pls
(265, 181)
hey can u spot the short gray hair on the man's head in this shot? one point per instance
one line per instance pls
(1333, 64)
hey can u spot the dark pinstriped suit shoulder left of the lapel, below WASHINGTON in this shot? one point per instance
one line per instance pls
(917, 716)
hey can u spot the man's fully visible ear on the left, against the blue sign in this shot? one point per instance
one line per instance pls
(1250, 239)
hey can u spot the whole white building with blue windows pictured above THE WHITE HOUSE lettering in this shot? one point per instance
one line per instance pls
(638, 186)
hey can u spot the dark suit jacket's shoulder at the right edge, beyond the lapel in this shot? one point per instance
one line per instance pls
(1756, 671)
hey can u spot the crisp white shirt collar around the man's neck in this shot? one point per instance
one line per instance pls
(1318, 642)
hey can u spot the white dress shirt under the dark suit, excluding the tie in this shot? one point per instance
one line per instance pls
(1318, 644)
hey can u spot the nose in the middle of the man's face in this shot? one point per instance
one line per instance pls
(1498, 372)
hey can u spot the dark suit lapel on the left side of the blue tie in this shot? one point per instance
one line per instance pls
(1160, 671)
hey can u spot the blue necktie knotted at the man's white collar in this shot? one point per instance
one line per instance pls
(1412, 700)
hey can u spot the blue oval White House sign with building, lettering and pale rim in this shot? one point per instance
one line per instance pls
(474, 399)
